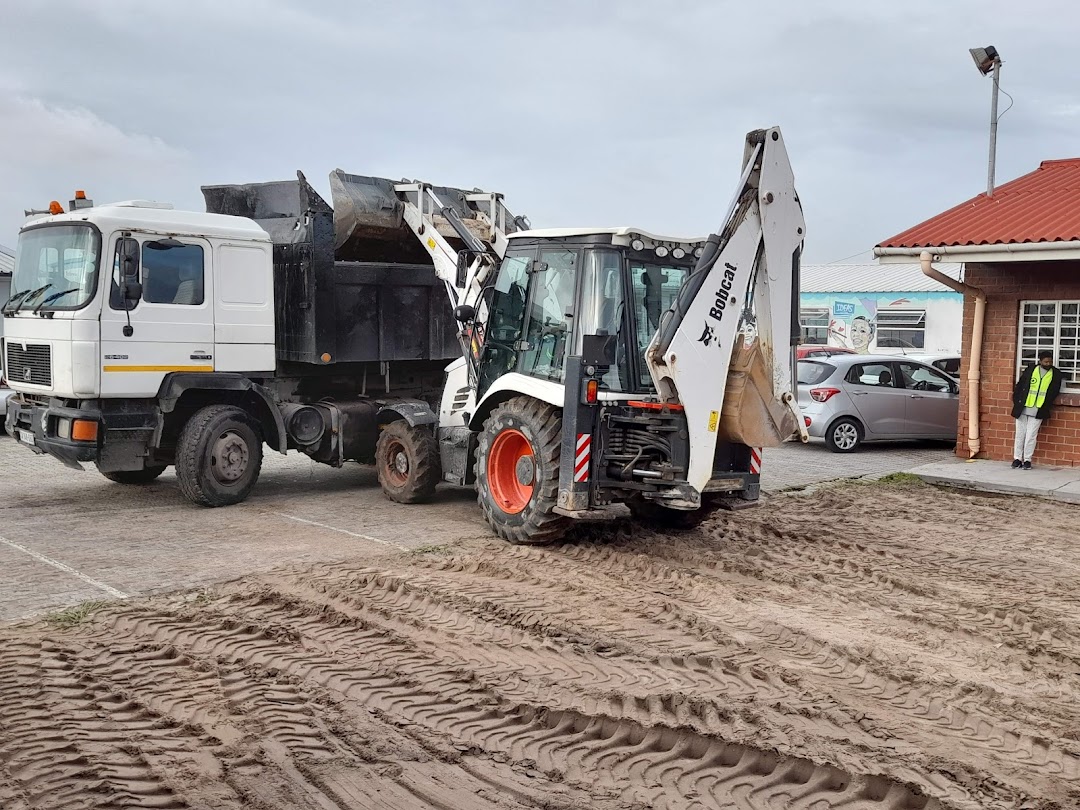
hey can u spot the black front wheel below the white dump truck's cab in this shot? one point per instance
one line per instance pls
(219, 456)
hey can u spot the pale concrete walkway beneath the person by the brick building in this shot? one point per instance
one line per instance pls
(1059, 483)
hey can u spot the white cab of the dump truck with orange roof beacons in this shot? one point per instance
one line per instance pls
(107, 302)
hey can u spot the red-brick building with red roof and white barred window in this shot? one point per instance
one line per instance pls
(1022, 249)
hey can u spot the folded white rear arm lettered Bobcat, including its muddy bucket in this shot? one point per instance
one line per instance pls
(724, 348)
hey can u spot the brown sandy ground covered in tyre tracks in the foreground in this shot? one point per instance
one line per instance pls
(862, 647)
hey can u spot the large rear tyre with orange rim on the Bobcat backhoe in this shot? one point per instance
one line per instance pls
(518, 472)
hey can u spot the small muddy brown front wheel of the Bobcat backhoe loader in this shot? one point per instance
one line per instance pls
(407, 460)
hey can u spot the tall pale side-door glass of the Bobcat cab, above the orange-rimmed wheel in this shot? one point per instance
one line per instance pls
(551, 303)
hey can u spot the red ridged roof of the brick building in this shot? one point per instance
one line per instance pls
(1041, 207)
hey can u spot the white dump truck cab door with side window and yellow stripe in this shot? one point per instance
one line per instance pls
(172, 326)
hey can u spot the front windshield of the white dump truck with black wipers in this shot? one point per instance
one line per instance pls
(56, 268)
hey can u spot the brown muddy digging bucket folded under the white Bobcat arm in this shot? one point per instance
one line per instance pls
(753, 414)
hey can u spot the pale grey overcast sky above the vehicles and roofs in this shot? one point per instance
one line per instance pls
(583, 114)
